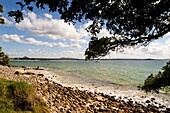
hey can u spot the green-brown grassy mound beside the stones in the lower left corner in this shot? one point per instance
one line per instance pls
(20, 97)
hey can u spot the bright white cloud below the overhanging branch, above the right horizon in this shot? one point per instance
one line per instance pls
(155, 49)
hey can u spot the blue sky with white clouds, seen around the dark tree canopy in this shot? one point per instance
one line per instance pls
(43, 34)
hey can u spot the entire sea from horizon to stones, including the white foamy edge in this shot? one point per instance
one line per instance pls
(118, 76)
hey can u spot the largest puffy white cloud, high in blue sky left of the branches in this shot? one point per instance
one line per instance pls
(50, 28)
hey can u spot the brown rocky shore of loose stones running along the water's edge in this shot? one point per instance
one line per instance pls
(61, 99)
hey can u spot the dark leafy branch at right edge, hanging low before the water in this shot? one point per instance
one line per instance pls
(159, 81)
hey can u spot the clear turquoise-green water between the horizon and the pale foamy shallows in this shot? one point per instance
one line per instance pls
(122, 72)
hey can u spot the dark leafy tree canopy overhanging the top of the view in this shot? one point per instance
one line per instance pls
(131, 22)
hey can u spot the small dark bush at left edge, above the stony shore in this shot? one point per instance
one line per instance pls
(5, 59)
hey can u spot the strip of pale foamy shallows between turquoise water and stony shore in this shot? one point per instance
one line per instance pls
(111, 90)
